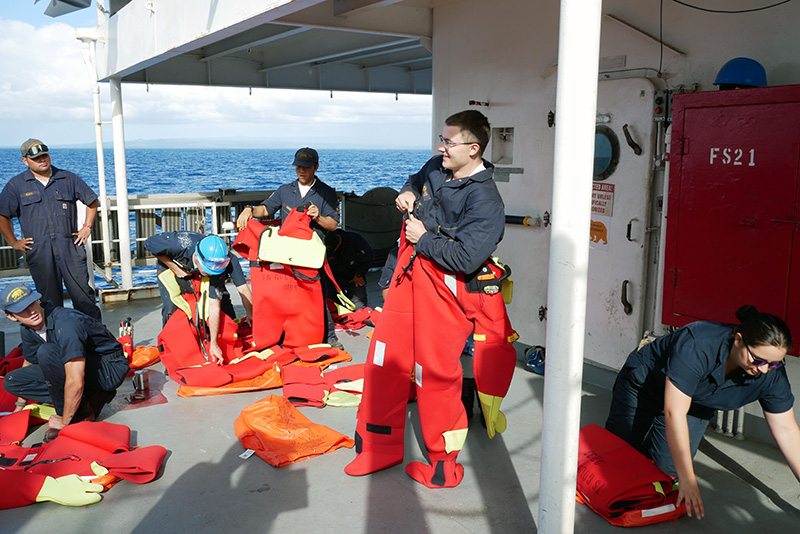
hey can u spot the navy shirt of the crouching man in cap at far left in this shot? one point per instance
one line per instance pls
(77, 334)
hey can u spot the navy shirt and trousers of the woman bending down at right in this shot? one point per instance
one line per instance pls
(693, 357)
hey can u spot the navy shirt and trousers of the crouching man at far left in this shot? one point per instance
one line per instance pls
(70, 334)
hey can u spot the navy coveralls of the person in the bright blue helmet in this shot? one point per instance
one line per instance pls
(180, 246)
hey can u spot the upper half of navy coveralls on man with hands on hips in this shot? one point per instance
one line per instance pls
(45, 210)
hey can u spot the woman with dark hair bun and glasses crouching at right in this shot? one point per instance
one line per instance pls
(669, 389)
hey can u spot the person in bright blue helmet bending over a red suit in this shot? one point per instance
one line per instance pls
(191, 254)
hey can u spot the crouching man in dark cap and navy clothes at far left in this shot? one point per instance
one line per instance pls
(71, 360)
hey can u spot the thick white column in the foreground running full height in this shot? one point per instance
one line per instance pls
(576, 104)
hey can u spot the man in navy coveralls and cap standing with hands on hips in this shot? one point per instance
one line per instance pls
(44, 198)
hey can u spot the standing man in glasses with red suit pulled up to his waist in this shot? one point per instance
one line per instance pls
(445, 286)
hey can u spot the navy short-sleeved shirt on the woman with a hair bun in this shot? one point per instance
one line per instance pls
(693, 357)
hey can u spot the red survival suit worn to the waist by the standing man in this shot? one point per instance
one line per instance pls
(426, 319)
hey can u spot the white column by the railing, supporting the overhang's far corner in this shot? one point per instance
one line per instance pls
(121, 175)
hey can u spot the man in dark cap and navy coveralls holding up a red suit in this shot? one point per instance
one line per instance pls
(319, 199)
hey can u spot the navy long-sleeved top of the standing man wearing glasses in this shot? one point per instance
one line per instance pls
(464, 218)
